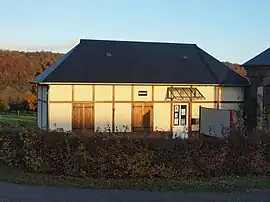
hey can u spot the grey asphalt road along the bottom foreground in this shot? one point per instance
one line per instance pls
(18, 193)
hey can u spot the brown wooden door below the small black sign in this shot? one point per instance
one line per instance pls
(142, 117)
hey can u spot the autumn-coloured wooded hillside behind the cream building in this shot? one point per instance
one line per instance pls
(18, 68)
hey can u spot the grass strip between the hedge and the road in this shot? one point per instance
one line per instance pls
(18, 176)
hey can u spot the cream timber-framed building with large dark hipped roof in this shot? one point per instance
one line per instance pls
(134, 86)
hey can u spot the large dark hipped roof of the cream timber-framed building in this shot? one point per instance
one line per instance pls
(102, 61)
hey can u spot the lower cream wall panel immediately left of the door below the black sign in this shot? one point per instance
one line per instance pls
(123, 116)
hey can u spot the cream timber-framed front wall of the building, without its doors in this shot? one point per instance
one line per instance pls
(113, 104)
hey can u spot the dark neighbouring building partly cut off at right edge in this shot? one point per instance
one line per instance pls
(258, 93)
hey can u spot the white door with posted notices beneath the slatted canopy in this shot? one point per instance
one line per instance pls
(180, 120)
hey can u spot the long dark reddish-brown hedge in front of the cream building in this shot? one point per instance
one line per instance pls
(71, 155)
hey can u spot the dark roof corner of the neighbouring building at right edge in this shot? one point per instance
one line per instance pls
(263, 59)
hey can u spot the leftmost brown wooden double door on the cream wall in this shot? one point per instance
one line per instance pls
(83, 116)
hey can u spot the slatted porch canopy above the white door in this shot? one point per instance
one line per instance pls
(184, 93)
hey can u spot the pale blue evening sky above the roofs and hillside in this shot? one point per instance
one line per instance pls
(230, 30)
